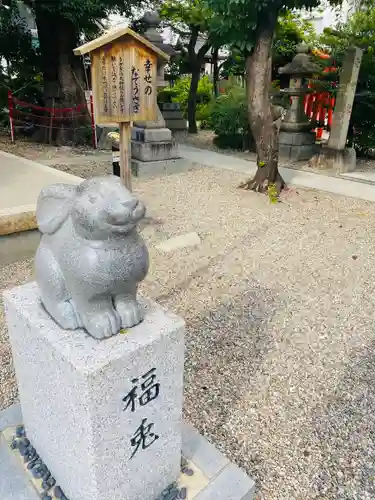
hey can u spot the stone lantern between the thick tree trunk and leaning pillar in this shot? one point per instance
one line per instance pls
(296, 140)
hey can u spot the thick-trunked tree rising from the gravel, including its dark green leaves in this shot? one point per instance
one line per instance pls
(251, 25)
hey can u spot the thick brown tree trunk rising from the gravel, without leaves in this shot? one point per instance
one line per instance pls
(264, 128)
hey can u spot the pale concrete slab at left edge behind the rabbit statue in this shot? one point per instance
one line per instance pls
(21, 181)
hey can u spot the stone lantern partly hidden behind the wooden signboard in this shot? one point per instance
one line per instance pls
(154, 151)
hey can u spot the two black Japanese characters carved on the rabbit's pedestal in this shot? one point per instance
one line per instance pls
(145, 389)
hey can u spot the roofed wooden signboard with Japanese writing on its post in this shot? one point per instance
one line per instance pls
(124, 73)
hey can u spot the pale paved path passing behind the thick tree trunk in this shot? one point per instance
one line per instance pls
(352, 188)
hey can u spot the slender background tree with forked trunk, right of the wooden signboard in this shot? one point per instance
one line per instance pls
(191, 22)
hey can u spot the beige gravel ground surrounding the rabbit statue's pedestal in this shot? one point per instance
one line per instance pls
(279, 306)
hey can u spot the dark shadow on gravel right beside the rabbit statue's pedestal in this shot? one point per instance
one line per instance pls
(224, 350)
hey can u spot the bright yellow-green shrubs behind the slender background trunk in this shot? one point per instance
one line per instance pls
(180, 93)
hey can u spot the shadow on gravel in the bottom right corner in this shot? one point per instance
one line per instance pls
(345, 429)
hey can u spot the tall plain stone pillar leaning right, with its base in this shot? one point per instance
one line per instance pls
(336, 155)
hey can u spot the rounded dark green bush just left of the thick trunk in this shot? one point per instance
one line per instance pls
(229, 120)
